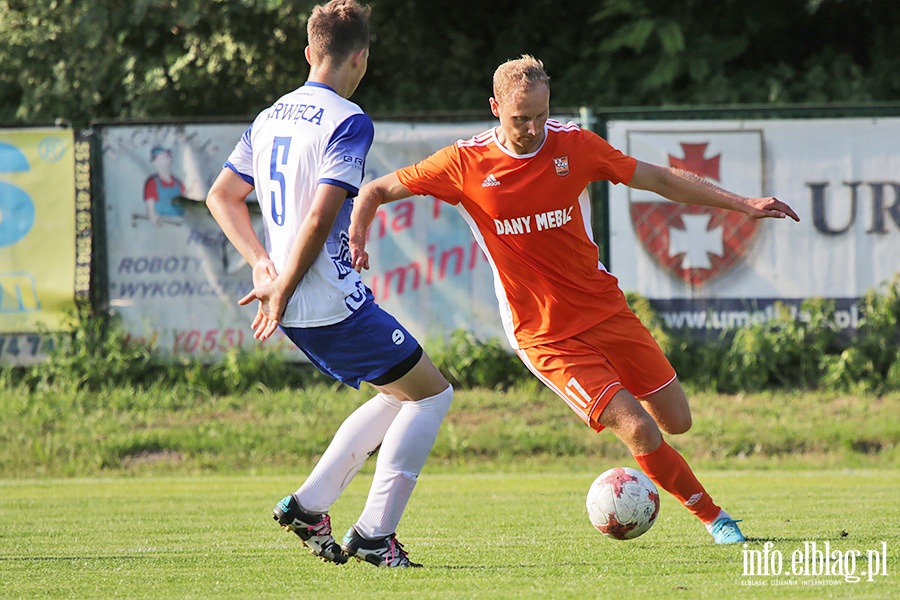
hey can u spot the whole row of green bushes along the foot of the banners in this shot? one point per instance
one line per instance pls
(786, 353)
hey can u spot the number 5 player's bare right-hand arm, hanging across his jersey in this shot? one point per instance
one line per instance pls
(273, 295)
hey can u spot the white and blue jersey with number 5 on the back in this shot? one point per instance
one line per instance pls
(308, 137)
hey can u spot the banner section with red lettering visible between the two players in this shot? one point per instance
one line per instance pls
(426, 268)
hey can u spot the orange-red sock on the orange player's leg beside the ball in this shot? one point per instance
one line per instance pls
(668, 469)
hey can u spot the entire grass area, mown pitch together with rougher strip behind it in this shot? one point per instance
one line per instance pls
(167, 493)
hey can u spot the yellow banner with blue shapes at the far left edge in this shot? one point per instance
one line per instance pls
(37, 238)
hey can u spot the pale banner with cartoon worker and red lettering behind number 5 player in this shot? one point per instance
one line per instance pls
(175, 279)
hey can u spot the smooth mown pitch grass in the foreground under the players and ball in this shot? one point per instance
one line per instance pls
(496, 534)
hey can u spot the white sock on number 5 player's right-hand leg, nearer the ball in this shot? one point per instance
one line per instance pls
(403, 453)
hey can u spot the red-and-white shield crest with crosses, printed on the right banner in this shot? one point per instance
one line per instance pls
(695, 243)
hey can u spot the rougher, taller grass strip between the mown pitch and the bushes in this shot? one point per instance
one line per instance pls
(191, 431)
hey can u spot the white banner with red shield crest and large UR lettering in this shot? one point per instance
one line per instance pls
(708, 270)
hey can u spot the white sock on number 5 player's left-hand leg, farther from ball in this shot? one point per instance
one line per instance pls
(356, 439)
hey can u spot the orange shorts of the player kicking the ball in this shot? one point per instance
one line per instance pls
(586, 370)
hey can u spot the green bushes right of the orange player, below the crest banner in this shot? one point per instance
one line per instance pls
(805, 353)
